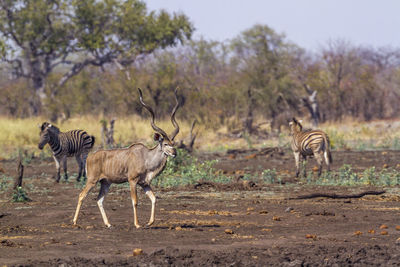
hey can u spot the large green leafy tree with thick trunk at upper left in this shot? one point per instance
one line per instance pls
(40, 37)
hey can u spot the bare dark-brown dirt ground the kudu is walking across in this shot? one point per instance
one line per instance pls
(231, 225)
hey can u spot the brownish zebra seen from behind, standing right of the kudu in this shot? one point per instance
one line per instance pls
(309, 142)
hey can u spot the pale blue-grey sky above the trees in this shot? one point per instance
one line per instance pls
(308, 23)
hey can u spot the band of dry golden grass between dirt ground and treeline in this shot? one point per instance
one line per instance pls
(23, 134)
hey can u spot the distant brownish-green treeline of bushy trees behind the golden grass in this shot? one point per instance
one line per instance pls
(259, 74)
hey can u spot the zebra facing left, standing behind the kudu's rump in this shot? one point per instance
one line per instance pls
(72, 143)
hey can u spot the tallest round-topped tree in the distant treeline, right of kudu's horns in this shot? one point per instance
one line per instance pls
(262, 61)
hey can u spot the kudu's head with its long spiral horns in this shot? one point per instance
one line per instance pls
(167, 143)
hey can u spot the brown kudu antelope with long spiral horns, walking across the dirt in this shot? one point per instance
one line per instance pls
(136, 164)
